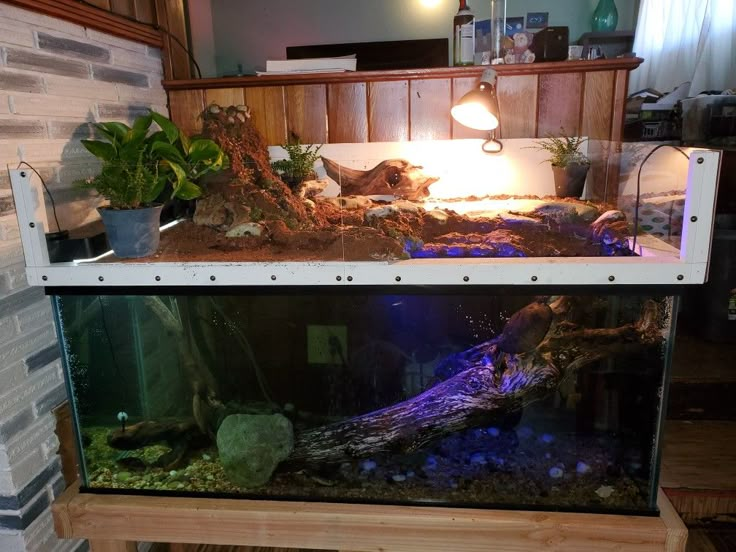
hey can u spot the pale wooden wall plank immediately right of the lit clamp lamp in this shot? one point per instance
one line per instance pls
(517, 98)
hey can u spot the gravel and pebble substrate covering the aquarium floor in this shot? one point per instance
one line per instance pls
(518, 476)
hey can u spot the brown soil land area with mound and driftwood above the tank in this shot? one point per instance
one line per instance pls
(248, 213)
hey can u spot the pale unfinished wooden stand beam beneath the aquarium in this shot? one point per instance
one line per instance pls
(113, 523)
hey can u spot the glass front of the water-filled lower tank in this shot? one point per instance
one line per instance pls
(485, 398)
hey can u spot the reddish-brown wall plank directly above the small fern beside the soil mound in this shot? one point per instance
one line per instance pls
(306, 113)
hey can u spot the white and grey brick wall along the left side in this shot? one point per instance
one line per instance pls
(55, 79)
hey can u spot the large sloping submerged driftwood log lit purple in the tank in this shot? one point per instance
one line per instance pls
(484, 382)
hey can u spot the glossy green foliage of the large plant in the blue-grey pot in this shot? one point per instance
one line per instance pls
(137, 164)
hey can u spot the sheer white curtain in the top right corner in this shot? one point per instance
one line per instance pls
(686, 41)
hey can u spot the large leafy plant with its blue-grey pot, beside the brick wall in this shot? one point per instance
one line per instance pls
(137, 167)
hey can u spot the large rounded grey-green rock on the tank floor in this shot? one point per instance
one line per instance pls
(251, 446)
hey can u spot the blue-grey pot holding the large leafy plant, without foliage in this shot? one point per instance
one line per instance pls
(132, 233)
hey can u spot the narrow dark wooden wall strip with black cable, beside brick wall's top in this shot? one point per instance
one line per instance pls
(171, 16)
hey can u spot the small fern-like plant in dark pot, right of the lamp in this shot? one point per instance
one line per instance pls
(569, 164)
